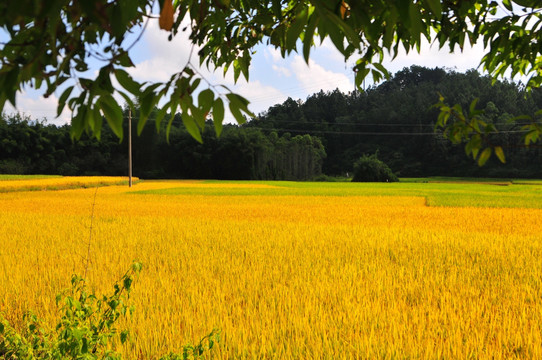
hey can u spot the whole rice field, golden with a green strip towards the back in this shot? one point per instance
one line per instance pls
(293, 270)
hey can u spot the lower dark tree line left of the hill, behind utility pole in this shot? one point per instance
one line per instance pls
(34, 147)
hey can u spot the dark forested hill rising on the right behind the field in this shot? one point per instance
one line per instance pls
(396, 118)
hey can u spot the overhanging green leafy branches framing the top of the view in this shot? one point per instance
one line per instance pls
(50, 44)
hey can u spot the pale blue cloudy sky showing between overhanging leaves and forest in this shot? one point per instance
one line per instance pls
(272, 78)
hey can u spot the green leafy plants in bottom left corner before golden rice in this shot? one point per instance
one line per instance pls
(87, 327)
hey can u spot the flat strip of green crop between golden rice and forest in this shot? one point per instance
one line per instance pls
(450, 193)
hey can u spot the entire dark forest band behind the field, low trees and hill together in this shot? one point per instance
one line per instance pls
(298, 140)
